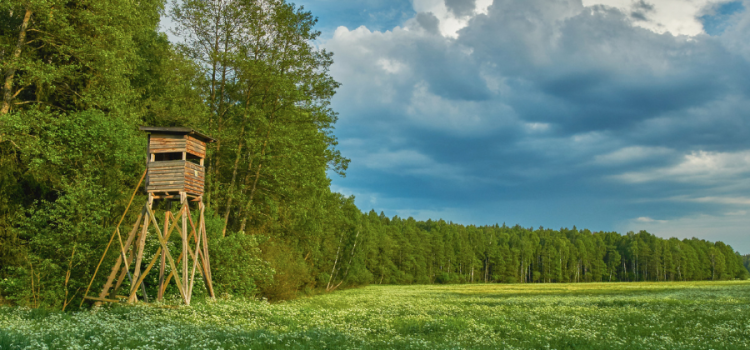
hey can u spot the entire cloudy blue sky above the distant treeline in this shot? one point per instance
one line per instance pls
(609, 115)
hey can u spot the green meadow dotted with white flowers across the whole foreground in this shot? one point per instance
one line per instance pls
(697, 315)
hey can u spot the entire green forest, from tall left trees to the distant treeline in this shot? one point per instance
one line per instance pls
(80, 77)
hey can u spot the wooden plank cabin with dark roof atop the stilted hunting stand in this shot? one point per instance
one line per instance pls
(175, 161)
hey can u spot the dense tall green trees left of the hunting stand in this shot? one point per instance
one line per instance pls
(68, 140)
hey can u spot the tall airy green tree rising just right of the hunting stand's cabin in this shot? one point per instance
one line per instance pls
(270, 103)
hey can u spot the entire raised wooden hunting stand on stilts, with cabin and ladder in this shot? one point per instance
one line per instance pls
(174, 172)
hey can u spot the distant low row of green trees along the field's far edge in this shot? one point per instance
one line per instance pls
(398, 251)
